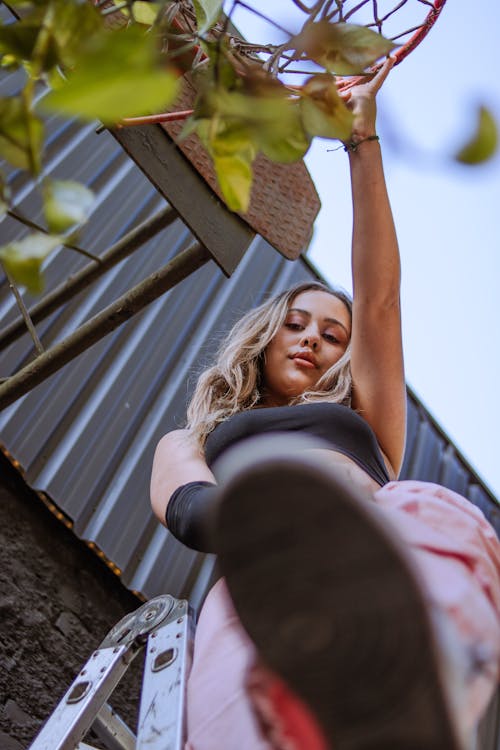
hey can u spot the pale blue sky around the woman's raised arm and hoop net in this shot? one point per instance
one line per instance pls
(447, 217)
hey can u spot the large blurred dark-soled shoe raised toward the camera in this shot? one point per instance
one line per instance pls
(331, 600)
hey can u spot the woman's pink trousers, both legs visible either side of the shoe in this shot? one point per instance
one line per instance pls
(458, 555)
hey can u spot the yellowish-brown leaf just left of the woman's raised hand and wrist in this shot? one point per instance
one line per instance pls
(324, 114)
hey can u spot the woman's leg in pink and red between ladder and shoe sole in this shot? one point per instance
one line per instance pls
(233, 701)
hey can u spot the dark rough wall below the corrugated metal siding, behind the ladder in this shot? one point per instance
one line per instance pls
(57, 602)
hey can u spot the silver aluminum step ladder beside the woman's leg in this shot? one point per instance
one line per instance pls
(163, 627)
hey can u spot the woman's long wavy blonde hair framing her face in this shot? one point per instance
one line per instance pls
(233, 383)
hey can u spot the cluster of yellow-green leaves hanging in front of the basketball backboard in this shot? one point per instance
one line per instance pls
(239, 116)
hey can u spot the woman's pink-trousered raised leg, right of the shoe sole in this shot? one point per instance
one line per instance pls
(458, 555)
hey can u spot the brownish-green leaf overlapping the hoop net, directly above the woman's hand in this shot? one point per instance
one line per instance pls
(342, 48)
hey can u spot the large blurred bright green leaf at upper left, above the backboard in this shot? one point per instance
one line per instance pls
(118, 76)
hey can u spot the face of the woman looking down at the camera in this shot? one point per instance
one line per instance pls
(314, 336)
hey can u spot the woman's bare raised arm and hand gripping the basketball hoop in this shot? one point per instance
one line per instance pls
(379, 392)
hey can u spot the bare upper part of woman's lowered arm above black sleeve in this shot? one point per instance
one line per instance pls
(178, 460)
